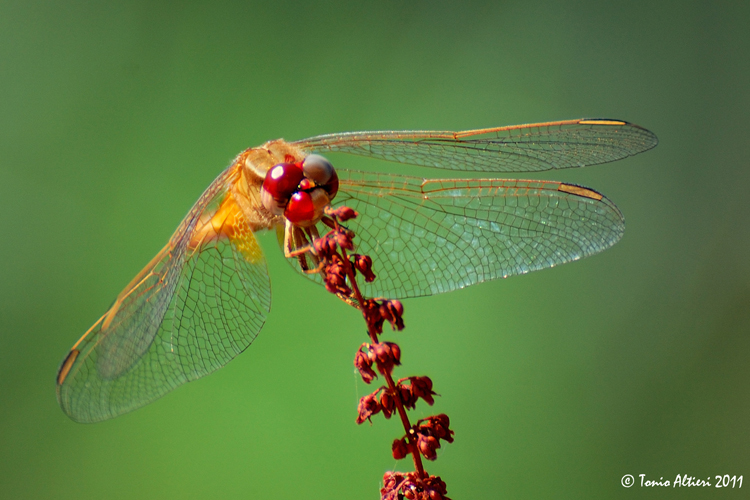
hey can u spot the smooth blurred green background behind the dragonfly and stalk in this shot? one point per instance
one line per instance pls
(114, 116)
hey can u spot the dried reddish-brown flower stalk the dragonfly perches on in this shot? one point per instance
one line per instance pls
(423, 439)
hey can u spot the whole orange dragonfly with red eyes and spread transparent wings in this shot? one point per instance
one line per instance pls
(205, 296)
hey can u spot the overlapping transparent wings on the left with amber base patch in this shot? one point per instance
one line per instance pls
(201, 301)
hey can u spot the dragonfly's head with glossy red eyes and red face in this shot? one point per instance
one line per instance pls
(300, 191)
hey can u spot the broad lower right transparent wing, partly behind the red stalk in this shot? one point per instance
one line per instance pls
(429, 236)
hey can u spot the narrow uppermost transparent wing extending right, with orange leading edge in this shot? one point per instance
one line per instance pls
(517, 148)
